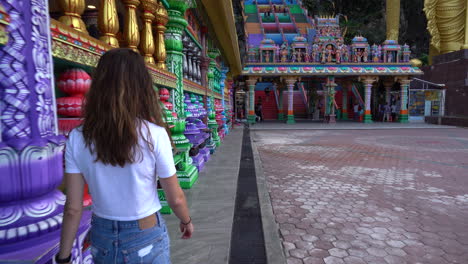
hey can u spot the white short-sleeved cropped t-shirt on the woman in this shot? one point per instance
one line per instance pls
(127, 193)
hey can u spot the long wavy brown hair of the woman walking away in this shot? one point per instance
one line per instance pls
(121, 97)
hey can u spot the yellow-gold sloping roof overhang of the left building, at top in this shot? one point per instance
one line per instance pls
(221, 16)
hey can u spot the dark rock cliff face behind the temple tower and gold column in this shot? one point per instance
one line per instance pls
(367, 17)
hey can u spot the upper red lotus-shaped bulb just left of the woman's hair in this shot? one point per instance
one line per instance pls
(74, 82)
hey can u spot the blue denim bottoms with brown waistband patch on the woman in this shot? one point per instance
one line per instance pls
(124, 242)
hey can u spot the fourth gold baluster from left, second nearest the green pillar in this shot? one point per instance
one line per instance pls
(148, 8)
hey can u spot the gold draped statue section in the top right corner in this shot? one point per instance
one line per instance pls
(447, 24)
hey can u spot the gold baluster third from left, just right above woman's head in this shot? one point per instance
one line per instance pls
(131, 31)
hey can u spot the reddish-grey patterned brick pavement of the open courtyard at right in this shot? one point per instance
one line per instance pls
(369, 196)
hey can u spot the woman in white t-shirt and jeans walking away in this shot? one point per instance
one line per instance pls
(120, 151)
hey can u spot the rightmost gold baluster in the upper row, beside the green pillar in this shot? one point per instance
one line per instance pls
(160, 27)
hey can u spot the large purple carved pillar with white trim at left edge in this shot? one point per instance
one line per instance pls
(31, 166)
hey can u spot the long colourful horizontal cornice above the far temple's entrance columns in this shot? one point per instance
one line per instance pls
(344, 69)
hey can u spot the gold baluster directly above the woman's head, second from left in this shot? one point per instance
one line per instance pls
(108, 22)
